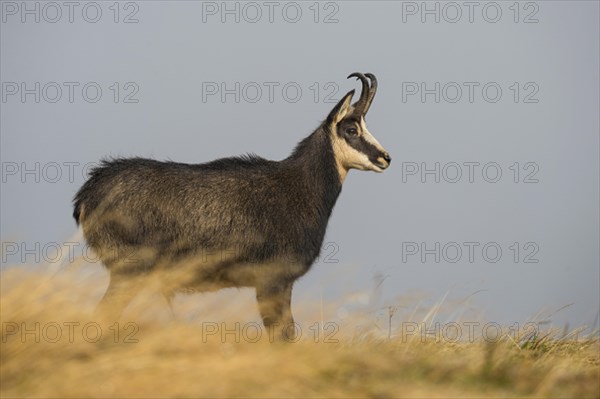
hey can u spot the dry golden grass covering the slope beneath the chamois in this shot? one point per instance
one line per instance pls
(170, 358)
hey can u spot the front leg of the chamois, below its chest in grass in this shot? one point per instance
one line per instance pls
(274, 304)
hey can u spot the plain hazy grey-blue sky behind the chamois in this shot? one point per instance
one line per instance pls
(177, 50)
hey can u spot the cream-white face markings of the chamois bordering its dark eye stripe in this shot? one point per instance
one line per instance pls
(348, 157)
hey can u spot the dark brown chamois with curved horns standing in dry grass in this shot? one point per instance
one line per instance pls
(234, 222)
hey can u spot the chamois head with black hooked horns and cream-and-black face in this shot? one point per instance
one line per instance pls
(354, 146)
